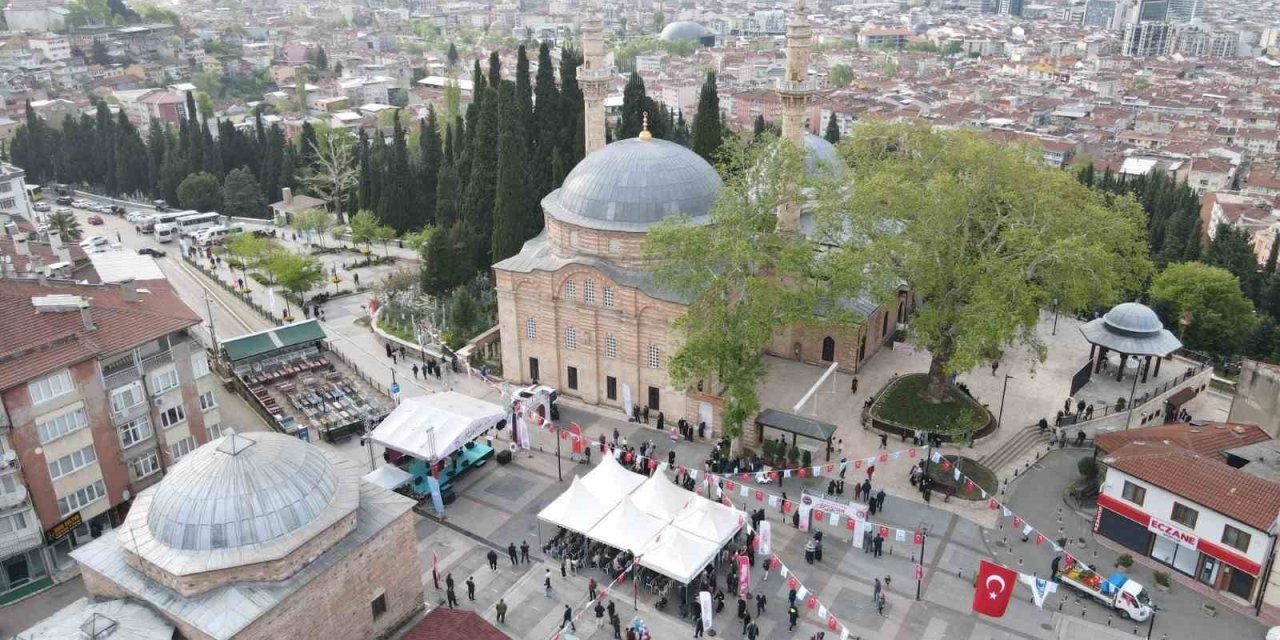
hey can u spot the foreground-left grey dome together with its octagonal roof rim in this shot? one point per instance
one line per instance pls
(243, 500)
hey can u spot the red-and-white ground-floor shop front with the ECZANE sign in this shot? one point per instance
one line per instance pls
(1183, 551)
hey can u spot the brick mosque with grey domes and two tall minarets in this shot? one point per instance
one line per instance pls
(578, 308)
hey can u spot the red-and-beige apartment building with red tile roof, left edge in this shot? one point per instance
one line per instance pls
(102, 391)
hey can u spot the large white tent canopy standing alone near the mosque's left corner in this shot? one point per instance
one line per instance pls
(433, 427)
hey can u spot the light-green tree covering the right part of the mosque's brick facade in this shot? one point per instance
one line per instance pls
(730, 272)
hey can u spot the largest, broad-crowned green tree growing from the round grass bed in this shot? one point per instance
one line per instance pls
(984, 235)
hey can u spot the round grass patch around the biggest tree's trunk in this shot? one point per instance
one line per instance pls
(904, 404)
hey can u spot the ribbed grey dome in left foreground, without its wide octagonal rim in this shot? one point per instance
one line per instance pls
(245, 492)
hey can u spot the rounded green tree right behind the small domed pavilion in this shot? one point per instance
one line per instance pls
(1208, 307)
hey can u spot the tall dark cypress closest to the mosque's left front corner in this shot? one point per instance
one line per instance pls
(510, 200)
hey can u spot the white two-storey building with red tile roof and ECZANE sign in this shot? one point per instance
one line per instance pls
(1201, 499)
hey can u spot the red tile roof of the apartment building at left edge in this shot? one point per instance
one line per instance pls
(34, 344)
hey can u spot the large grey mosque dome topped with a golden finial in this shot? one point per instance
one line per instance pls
(634, 184)
